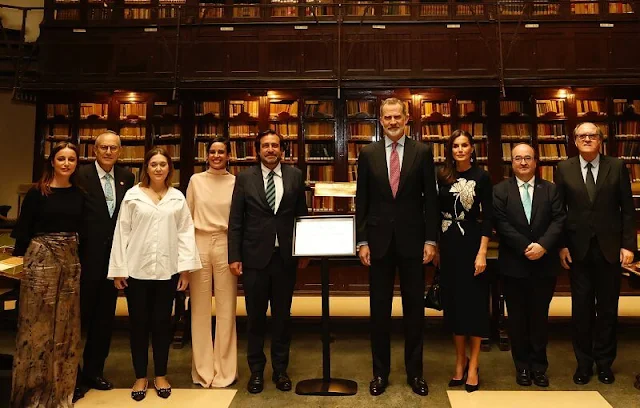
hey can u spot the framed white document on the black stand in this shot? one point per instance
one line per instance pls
(325, 236)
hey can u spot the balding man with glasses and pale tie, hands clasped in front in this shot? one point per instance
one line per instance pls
(529, 218)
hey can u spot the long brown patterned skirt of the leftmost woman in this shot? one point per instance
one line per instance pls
(48, 340)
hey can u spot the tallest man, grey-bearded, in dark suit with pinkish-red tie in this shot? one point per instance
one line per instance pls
(397, 220)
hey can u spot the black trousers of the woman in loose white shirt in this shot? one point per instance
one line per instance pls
(150, 303)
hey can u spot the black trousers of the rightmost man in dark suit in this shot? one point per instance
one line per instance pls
(595, 289)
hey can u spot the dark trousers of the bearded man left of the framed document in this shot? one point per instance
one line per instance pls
(271, 285)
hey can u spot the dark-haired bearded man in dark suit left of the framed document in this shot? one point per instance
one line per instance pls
(266, 200)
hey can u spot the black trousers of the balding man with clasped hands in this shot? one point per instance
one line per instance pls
(528, 306)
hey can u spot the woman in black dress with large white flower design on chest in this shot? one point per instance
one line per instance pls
(464, 191)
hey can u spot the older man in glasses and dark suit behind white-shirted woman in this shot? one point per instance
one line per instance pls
(104, 184)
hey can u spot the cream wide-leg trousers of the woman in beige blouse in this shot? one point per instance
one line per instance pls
(214, 365)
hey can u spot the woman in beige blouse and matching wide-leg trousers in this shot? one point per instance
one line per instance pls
(209, 198)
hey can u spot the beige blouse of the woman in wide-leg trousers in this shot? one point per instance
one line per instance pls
(209, 199)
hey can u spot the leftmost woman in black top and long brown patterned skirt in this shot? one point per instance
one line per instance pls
(48, 339)
